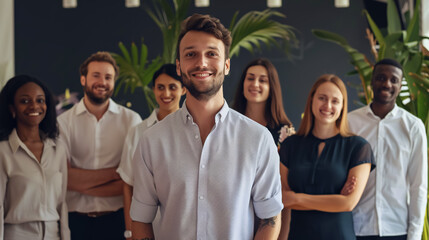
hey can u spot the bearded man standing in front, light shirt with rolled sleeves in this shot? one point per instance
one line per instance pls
(207, 167)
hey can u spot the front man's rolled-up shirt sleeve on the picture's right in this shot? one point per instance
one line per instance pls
(266, 192)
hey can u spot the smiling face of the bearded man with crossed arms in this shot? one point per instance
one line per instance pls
(99, 82)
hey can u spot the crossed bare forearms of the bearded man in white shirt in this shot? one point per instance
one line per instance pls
(100, 182)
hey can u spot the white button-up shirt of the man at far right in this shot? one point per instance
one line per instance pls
(394, 199)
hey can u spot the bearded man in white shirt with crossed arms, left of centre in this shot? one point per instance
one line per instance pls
(94, 131)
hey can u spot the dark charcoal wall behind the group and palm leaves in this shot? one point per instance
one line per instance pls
(51, 42)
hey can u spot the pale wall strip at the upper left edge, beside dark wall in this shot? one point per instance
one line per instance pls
(7, 59)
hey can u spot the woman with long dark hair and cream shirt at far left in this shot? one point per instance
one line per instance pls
(33, 166)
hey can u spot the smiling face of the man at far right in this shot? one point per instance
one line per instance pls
(386, 84)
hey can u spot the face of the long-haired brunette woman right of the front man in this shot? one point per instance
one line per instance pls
(256, 86)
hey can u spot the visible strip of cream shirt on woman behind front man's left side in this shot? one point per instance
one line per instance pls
(126, 166)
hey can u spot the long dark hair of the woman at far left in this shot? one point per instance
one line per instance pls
(48, 126)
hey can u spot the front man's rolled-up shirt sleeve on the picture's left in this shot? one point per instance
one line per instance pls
(144, 203)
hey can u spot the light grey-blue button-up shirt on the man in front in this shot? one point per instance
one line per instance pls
(209, 191)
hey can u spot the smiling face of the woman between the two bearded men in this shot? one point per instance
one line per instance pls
(168, 91)
